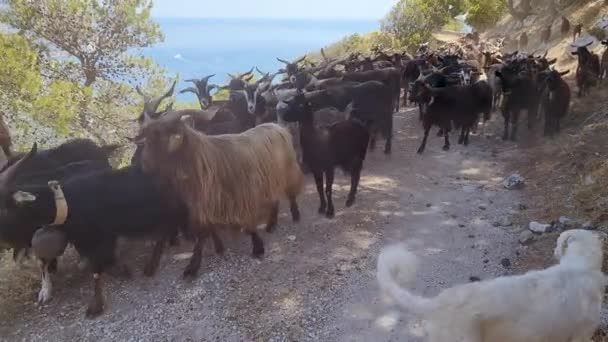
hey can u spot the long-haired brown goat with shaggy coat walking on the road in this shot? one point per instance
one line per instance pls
(232, 180)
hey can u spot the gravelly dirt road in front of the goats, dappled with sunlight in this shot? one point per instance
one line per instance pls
(316, 282)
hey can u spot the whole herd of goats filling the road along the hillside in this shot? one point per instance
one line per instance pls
(226, 166)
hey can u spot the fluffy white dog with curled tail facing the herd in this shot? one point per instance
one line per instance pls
(559, 304)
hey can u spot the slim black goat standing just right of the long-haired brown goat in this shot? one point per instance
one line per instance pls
(343, 144)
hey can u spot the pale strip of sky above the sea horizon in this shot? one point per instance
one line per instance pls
(287, 9)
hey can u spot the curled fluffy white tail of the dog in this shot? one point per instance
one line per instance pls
(396, 262)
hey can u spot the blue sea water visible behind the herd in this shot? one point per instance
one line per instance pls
(195, 47)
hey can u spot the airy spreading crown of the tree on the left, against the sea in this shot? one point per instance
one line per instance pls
(97, 34)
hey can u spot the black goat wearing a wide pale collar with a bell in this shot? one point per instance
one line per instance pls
(99, 207)
